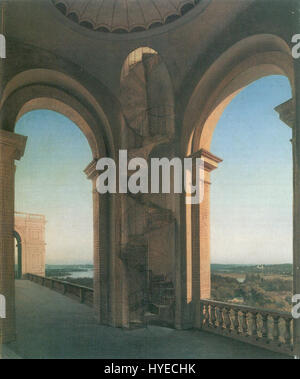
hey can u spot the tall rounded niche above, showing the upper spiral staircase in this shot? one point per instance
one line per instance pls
(147, 94)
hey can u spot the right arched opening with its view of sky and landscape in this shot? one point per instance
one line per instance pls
(251, 200)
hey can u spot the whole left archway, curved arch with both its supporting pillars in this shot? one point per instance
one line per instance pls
(34, 90)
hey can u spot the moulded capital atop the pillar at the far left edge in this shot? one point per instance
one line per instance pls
(12, 146)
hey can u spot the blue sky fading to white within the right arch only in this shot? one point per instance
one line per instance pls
(251, 198)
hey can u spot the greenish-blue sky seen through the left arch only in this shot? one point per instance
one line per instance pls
(50, 181)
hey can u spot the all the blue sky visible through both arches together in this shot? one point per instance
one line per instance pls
(251, 192)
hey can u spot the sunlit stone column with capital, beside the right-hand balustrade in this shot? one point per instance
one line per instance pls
(200, 262)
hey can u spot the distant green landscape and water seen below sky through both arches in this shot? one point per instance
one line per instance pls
(261, 286)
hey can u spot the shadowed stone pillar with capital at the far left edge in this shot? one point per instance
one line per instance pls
(12, 147)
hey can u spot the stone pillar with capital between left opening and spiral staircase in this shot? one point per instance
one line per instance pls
(101, 248)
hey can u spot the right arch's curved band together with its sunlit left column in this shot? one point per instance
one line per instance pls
(245, 62)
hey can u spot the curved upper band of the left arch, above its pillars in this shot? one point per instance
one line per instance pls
(52, 90)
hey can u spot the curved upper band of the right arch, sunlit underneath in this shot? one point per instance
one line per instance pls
(247, 61)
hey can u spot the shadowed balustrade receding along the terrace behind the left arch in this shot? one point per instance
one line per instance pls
(82, 294)
